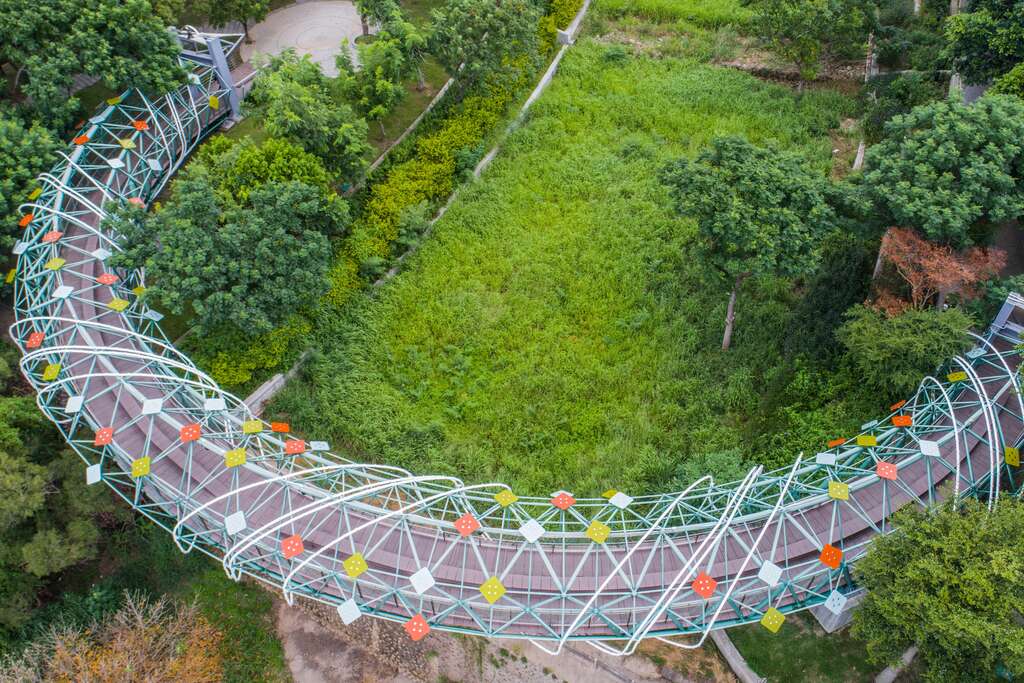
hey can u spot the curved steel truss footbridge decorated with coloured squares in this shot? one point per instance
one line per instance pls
(432, 551)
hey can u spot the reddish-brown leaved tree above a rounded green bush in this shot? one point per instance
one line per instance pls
(932, 272)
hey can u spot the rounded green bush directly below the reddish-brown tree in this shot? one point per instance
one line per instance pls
(893, 354)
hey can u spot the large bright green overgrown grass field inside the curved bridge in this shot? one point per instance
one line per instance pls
(556, 331)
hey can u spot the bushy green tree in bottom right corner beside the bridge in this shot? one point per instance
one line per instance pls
(951, 582)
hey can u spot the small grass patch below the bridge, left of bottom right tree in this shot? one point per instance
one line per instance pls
(803, 652)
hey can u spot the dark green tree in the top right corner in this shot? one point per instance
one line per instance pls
(988, 41)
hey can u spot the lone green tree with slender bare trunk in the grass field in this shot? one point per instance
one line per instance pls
(759, 212)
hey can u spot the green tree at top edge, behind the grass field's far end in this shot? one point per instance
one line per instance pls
(810, 33)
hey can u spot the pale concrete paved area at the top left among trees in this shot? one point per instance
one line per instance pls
(316, 29)
